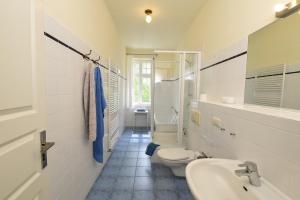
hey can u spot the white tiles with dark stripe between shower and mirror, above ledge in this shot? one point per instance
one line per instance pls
(228, 78)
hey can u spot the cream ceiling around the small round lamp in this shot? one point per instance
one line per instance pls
(171, 18)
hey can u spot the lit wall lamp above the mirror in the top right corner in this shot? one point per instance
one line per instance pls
(283, 11)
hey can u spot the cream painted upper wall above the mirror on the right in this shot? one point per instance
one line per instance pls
(220, 24)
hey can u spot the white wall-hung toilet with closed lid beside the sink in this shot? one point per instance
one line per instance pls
(177, 159)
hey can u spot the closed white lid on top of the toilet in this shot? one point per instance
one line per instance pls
(175, 154)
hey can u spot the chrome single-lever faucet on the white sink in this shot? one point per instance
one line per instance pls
(250, 171)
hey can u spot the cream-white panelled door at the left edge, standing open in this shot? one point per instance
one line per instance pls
(22, 114)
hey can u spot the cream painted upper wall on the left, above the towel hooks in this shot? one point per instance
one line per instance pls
(91, 22)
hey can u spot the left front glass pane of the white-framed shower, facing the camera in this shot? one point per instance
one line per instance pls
(166, 97)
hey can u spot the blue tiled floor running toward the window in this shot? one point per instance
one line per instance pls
(129, 174)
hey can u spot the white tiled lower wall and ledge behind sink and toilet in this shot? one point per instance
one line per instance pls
(272, 142)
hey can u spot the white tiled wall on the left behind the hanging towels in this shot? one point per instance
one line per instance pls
(71, 170)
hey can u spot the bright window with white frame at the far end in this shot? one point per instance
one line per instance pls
(141, 81)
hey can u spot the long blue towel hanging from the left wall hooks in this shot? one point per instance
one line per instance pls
(100, 106)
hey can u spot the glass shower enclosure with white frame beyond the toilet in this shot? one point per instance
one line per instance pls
(175, 75)
